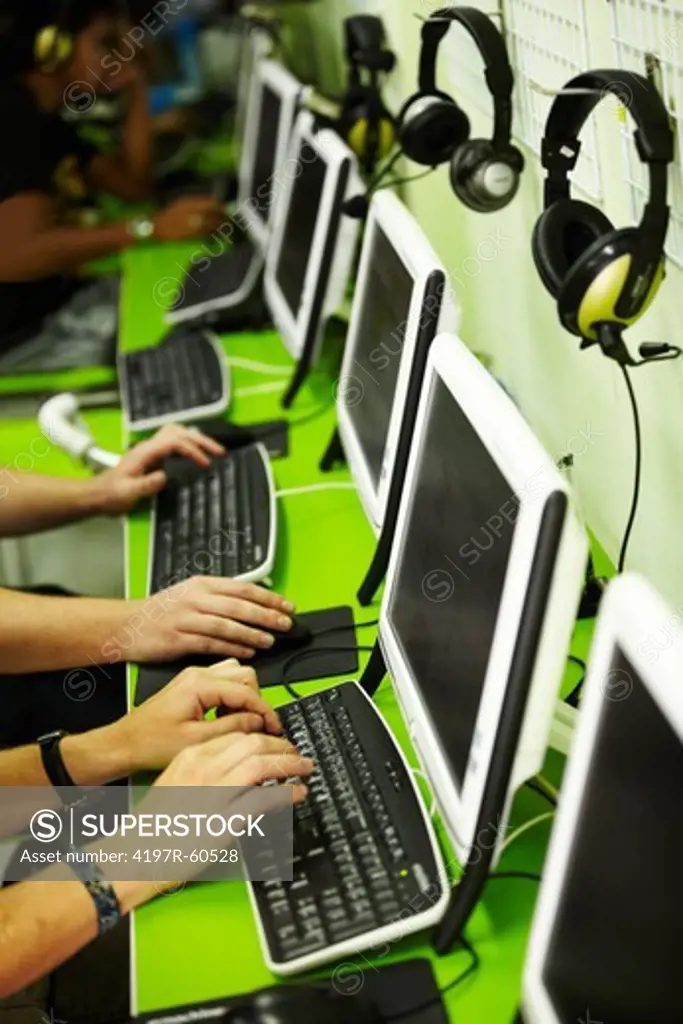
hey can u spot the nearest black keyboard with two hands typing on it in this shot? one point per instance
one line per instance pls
(364, 850)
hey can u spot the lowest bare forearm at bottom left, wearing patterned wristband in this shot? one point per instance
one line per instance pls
(45, 924)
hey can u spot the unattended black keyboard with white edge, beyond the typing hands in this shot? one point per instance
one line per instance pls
(186, 376)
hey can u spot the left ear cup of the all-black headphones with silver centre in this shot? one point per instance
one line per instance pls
(433, 129)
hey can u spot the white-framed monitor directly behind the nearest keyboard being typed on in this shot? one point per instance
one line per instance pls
(482, 594)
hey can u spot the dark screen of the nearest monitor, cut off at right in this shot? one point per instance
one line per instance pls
(616, 948)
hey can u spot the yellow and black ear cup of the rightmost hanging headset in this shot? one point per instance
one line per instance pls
(595, 284)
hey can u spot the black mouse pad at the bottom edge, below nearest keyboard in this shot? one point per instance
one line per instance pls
(400, 992)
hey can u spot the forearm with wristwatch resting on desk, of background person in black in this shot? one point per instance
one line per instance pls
(60, 249)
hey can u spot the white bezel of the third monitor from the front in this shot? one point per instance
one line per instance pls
(390, 216)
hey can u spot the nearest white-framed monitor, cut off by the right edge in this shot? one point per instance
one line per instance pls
(609, 929)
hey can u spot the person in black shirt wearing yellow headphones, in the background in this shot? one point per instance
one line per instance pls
(57, 57)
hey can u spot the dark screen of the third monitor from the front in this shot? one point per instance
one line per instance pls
(387, 307)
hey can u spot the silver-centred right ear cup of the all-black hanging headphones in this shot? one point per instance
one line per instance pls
(485, 180)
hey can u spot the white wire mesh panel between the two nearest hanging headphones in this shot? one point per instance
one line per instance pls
(548, 44)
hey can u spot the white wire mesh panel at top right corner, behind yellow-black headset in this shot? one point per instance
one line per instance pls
(649, 35)
